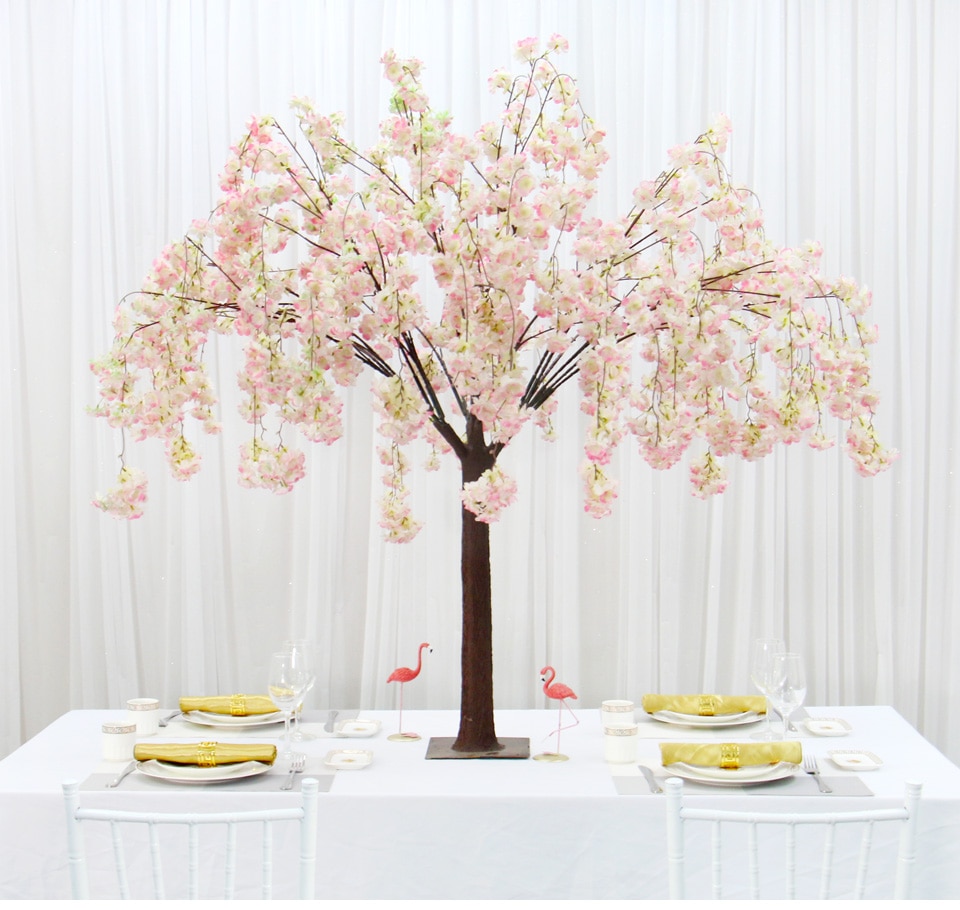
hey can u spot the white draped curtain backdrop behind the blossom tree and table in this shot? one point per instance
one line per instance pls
(115, 118)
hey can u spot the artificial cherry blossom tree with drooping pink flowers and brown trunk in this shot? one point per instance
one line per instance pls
(469, 273)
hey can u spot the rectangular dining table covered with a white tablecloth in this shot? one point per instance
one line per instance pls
(407, 827)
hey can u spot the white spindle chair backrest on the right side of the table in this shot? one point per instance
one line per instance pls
(731, 851)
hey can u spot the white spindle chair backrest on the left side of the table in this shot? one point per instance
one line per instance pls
(305, 815)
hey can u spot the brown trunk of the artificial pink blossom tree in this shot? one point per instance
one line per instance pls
(477, 733)
